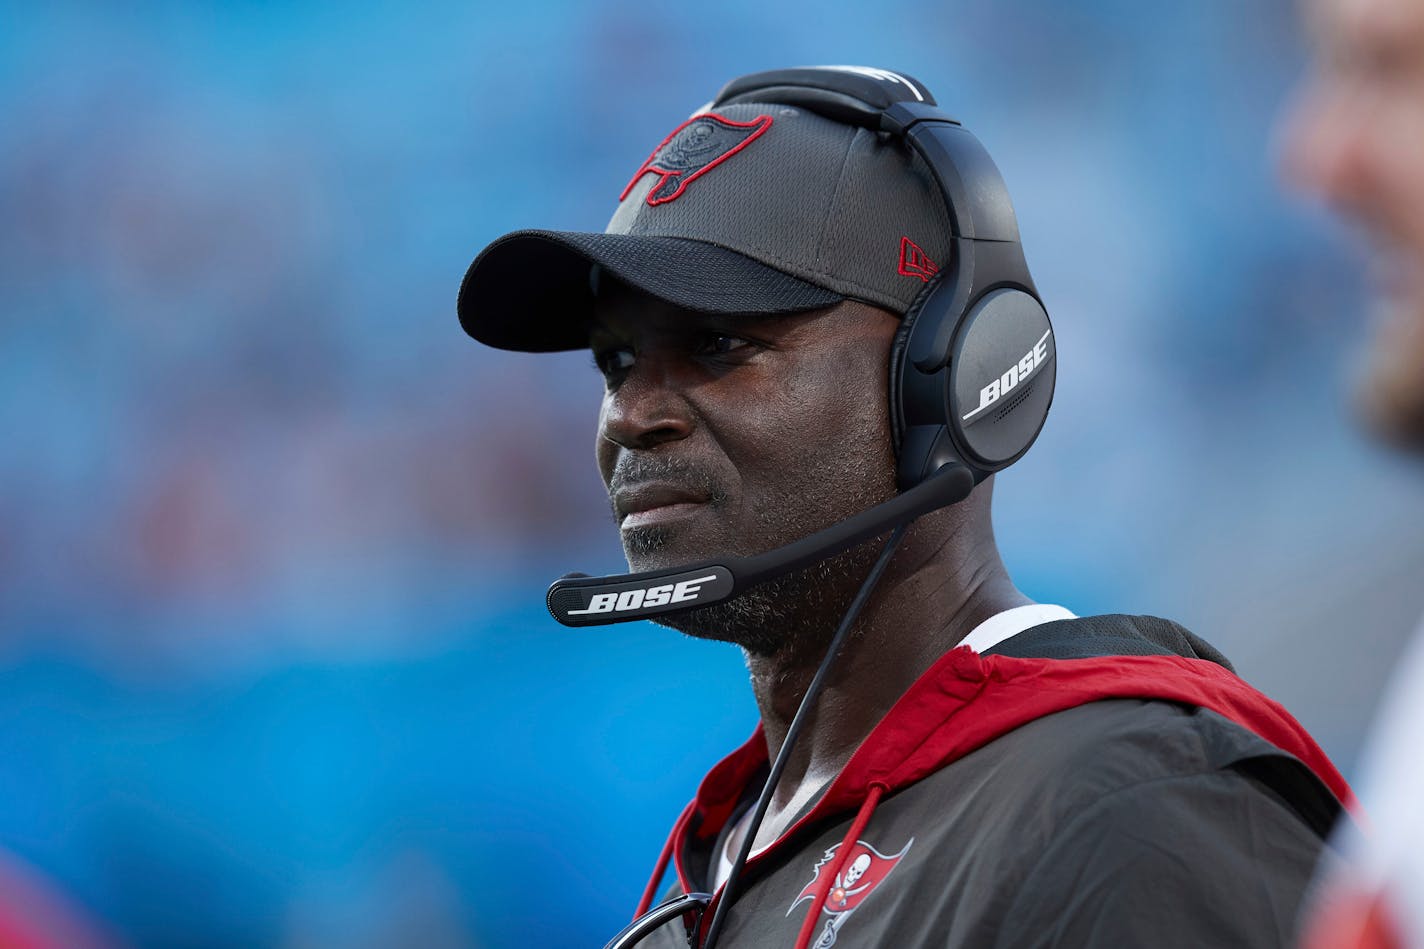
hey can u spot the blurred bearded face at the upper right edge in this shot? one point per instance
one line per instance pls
(1356, 138)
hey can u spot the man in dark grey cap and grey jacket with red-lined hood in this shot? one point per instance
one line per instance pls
(979, 770)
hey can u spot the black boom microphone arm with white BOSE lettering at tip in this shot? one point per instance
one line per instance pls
(583, 601)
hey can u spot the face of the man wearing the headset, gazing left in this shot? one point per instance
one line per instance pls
(738, 435)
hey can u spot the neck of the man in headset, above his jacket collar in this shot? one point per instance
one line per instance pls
(909, 623)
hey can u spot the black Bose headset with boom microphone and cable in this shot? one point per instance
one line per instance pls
(972, 380)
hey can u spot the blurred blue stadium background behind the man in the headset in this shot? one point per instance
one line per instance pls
(274, 535)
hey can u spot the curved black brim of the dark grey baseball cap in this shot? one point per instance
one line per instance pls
(532, 290)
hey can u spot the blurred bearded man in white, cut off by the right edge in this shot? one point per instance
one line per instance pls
(1356, 138)
